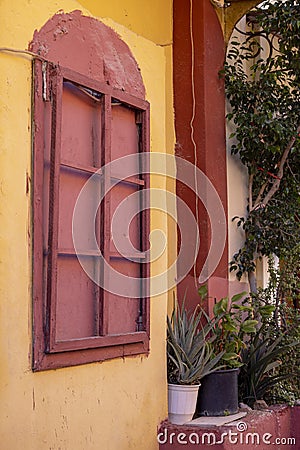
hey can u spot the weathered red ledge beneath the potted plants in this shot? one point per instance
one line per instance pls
(276, 427)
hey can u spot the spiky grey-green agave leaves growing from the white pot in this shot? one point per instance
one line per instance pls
(190, 354)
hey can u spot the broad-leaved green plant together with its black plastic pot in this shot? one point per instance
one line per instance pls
(232, 324)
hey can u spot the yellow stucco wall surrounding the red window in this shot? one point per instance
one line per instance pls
(117, 404)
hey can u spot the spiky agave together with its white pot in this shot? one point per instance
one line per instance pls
(190, 357)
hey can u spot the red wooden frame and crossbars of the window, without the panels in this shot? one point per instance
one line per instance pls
(48, 352)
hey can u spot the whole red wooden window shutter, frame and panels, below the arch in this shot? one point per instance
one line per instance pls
(80, 126)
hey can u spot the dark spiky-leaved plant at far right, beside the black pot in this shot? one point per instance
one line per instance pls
(271, 357)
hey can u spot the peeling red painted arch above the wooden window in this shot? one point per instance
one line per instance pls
(91, 48)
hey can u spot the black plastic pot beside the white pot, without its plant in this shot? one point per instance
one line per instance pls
(218, 394)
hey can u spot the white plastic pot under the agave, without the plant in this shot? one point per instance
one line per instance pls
(182, 401)
